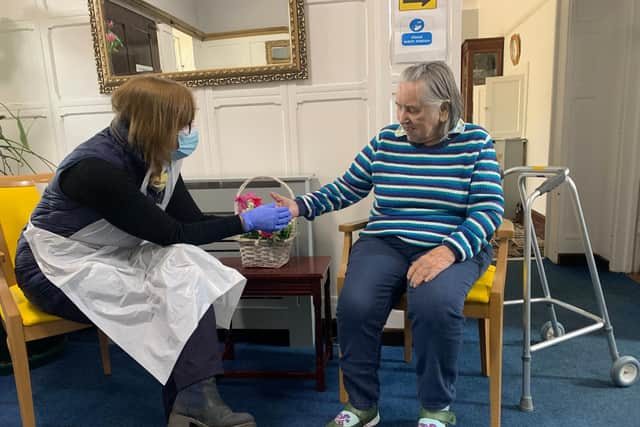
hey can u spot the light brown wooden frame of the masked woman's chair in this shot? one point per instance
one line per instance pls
(18, 335)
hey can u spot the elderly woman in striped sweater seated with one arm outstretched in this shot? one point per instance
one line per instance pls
(437, 201)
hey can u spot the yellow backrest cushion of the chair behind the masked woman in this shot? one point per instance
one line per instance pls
(16, 205)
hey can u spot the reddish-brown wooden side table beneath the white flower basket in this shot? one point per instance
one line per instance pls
(300, 276)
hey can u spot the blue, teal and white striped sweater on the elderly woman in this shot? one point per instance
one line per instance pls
(446, 194)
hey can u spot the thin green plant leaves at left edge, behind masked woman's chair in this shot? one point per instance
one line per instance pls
(15, 155)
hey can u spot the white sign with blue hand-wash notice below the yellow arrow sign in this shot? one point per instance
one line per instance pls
(421, 35)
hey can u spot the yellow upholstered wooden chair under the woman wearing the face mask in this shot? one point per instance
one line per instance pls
(21, 320)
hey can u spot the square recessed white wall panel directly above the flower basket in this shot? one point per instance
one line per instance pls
(251, 139)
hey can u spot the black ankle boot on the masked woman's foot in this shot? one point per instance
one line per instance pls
(200, 405)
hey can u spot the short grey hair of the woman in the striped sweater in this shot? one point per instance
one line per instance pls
(439, 87)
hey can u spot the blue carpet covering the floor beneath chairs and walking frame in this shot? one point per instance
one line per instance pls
(570, 382)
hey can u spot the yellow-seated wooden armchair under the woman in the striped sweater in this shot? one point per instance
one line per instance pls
(484, 302)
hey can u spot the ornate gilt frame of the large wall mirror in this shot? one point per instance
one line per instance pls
(297, 69)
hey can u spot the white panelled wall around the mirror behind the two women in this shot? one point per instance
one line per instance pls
(314, 126)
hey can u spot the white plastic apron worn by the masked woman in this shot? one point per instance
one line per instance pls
(147, 298)
